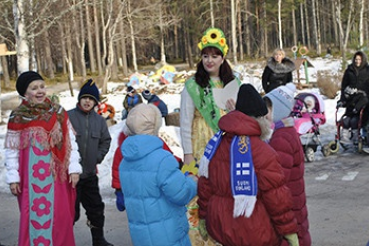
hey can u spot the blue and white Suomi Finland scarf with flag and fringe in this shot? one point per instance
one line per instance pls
(243, 178)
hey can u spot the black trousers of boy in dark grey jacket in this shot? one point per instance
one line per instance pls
(88, 194)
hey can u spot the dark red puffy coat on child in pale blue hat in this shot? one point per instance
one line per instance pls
(286, 142)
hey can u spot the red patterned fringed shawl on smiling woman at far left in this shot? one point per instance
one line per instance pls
(45, 123)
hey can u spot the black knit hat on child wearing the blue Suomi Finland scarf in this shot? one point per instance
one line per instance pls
(250, 102)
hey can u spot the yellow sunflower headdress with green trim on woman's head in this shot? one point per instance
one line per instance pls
(214, 37)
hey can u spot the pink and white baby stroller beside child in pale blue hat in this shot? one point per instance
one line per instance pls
(309, 114)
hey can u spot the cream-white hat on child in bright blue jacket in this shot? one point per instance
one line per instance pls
(144, 119)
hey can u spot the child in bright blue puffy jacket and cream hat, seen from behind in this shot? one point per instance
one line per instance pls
(155, 190)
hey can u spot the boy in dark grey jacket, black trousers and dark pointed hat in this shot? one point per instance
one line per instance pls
(93, 139)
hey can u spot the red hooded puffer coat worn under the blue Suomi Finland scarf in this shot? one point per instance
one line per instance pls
(272, 216)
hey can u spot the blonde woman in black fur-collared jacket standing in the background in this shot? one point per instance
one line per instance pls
(278, 71)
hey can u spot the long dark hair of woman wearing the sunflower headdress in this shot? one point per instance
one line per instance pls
(202, 77)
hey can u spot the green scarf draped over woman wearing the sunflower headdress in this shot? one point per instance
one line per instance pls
(204, 102)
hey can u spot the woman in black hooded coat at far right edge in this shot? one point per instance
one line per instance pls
(354, 97)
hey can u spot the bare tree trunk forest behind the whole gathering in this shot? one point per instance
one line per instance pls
(111, 39)
